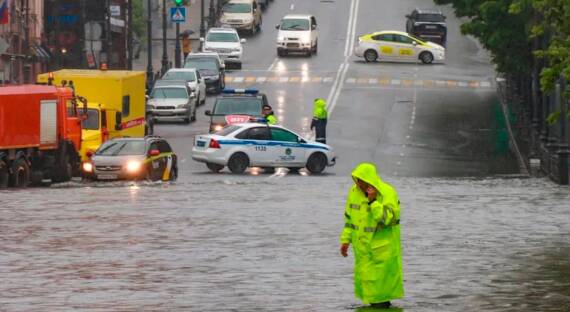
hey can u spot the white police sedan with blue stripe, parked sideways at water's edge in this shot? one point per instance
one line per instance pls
(244, 145)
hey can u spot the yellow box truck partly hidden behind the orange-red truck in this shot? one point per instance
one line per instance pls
(116, 103)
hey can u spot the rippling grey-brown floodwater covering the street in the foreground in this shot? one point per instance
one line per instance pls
(270, 243)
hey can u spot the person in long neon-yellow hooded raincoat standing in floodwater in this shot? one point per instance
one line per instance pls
(372, 226)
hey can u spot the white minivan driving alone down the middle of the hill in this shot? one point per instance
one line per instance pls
(297, 33)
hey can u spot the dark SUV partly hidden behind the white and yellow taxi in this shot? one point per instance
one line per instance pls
(428, 25)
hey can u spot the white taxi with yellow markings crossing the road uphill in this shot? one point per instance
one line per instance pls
(398, 46)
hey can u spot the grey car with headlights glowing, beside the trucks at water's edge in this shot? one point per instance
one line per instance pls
(148, 158)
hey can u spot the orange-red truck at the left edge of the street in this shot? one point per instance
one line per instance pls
(40, 134)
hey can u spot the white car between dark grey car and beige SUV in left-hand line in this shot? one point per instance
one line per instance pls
(227, 43)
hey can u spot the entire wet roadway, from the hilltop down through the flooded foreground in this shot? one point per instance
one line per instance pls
(476, 236)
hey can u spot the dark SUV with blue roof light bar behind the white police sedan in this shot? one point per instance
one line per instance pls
(236, 106)
